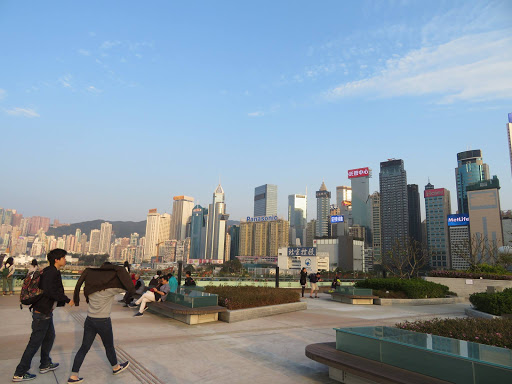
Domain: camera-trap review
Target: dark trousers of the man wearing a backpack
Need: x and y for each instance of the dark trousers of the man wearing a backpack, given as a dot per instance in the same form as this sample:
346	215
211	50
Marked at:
43	335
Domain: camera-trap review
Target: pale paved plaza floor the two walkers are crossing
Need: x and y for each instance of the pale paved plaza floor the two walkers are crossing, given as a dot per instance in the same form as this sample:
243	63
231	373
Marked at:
265	350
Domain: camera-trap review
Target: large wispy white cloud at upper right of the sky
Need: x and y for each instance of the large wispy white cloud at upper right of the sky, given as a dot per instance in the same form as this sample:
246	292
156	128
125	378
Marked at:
471	68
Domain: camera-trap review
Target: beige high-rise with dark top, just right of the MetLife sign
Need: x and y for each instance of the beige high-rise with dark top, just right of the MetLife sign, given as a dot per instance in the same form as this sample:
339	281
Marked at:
485	214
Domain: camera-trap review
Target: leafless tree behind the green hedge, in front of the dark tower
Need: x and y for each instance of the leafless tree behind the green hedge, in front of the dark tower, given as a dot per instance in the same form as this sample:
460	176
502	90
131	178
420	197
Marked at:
406	258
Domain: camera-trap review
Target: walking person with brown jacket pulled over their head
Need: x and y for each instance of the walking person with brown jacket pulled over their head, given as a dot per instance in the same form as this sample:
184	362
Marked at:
101	286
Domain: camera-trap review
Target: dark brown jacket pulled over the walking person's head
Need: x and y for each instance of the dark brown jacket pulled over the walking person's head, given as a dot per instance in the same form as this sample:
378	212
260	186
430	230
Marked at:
98	279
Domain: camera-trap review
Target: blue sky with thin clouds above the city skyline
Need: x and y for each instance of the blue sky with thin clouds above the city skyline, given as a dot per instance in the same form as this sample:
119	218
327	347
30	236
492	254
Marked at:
108	109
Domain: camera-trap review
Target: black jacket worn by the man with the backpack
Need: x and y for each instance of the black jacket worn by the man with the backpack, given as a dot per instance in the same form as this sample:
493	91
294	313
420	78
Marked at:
53	291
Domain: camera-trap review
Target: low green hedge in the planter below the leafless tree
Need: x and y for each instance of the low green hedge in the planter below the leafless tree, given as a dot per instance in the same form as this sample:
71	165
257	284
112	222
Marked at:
413	288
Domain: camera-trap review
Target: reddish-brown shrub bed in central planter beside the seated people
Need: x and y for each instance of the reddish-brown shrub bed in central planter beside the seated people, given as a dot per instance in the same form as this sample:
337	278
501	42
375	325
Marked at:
240	297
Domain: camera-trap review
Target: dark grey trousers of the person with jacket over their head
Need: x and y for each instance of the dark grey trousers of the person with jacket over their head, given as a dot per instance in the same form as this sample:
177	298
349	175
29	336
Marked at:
92	327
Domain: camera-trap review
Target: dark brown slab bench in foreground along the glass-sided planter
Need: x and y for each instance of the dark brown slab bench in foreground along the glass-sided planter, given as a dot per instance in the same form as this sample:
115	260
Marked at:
348	368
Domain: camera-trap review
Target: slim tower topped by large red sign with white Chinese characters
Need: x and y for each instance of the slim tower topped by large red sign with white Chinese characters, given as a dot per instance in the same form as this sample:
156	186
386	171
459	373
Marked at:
361	205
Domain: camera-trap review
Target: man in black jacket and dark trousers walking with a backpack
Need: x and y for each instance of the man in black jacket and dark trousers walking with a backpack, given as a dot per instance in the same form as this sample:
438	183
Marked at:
43	331
